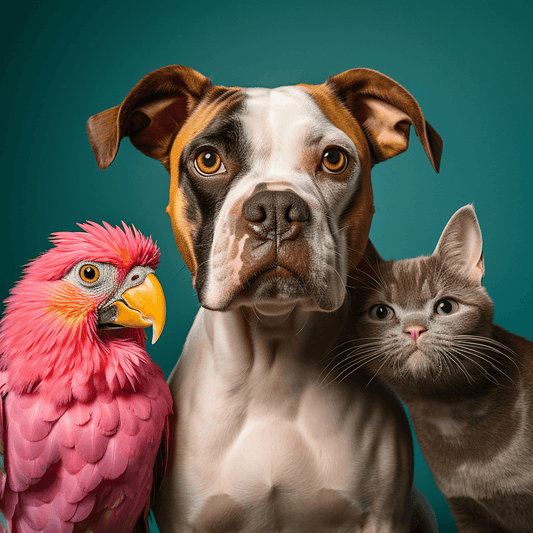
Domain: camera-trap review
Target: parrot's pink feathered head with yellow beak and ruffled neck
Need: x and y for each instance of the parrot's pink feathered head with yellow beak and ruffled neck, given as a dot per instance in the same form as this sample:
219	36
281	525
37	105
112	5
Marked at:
80	307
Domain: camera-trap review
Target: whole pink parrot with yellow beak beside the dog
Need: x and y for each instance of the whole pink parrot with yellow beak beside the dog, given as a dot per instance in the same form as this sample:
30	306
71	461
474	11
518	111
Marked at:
85	410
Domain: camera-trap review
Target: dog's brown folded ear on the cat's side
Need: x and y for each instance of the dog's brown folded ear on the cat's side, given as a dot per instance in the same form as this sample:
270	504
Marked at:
386	111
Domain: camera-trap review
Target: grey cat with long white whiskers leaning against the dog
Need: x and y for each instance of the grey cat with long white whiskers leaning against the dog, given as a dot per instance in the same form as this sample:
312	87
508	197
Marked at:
425	328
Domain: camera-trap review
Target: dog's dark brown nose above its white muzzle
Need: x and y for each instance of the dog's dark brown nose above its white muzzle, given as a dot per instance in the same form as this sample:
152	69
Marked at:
276	213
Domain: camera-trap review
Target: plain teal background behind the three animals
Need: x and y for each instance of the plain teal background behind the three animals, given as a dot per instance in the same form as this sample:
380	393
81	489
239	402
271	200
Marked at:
468	65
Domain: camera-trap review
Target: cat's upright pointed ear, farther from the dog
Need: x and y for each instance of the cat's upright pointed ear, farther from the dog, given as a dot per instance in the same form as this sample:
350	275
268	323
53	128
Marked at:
461	244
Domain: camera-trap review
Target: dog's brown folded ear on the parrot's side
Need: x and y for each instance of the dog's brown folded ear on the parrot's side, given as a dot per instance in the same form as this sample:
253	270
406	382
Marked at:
150	115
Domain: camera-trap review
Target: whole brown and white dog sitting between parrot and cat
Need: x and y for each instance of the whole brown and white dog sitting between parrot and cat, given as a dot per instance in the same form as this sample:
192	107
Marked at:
271	204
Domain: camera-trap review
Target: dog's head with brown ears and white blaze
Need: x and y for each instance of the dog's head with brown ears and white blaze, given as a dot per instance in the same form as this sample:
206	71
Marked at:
270	195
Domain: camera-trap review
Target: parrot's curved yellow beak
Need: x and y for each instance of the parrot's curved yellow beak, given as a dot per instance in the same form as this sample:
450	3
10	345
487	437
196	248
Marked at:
145	307
